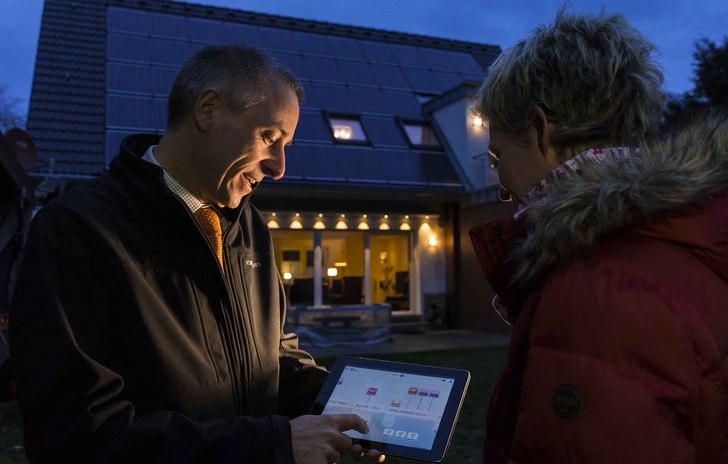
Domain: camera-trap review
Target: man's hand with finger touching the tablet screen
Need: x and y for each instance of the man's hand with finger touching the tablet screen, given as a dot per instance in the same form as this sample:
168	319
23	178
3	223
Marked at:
319	439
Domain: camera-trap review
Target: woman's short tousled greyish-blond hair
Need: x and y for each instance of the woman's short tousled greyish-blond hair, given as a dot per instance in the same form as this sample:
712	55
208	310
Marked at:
593	76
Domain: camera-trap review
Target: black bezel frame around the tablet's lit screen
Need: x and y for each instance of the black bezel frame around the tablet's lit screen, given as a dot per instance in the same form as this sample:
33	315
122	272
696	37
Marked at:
441	443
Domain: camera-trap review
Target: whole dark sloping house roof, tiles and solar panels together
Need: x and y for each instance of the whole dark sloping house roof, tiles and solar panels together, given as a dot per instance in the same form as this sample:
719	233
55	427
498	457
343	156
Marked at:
104	69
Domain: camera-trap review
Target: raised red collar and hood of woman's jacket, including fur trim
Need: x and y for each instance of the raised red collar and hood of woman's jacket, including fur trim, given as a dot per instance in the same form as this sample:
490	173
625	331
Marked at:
669	192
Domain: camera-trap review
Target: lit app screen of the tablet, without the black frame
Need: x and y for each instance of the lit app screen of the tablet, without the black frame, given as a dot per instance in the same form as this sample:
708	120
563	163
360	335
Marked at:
401	409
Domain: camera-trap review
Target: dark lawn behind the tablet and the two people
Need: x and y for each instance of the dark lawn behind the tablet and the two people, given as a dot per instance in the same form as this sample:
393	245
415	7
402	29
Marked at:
484	365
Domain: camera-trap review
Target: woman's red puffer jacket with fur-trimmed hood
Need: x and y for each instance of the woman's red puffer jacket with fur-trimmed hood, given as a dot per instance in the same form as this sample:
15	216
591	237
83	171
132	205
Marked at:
618	286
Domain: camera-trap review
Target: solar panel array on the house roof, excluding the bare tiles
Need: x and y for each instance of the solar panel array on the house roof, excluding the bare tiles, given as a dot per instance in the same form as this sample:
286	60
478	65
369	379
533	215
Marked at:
377	81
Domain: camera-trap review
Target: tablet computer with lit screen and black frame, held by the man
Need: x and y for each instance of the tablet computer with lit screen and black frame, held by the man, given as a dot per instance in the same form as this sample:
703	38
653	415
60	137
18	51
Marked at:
411	409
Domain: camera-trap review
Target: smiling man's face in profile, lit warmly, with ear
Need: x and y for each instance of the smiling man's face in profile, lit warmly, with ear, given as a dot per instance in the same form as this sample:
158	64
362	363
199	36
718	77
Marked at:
246	147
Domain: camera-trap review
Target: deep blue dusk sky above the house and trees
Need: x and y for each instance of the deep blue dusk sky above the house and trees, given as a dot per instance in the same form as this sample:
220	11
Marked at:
673	26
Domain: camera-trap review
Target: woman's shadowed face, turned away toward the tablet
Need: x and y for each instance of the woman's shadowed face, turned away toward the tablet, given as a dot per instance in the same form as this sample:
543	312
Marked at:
521	162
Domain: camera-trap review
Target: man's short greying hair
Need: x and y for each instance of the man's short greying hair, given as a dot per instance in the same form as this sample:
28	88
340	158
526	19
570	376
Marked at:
240	74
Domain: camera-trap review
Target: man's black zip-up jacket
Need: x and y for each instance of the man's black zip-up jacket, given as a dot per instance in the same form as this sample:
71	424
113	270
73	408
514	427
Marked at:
129	343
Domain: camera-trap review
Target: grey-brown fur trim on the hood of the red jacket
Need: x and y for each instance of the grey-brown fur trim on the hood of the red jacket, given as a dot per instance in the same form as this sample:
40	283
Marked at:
681	177
